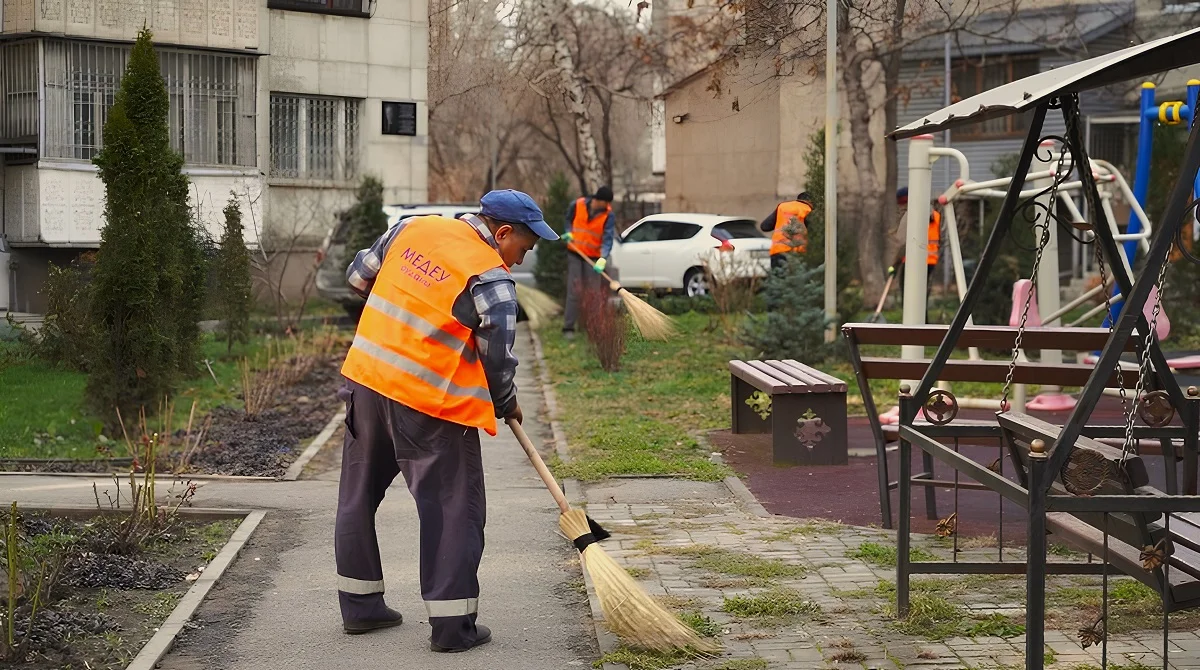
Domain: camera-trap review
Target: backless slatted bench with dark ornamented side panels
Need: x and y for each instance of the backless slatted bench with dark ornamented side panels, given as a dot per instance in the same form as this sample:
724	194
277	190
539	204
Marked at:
808	410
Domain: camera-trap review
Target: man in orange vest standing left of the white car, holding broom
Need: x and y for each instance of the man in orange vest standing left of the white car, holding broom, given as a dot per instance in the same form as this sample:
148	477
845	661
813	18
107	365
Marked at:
591	229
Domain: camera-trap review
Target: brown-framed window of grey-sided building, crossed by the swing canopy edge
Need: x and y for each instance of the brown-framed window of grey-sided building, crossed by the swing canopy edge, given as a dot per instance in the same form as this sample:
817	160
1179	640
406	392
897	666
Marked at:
971	77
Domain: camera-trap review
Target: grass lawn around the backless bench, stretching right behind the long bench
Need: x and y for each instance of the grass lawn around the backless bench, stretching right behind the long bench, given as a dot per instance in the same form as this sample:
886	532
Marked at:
643	420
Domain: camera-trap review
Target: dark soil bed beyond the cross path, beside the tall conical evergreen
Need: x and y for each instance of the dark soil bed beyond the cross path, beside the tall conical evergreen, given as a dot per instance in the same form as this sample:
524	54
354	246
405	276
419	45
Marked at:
236	445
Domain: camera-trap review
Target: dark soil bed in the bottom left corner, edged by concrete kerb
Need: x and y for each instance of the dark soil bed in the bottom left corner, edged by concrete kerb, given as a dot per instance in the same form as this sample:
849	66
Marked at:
105	607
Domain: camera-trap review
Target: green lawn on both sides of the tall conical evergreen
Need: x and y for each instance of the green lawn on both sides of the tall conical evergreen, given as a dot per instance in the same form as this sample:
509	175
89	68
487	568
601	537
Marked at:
43	412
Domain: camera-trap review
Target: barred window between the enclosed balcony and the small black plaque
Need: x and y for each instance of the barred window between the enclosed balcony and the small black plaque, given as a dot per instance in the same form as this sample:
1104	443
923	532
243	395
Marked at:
315	139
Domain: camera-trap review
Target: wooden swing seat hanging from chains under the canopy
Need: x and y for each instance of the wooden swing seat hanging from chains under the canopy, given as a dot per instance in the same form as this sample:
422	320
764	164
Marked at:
1097	470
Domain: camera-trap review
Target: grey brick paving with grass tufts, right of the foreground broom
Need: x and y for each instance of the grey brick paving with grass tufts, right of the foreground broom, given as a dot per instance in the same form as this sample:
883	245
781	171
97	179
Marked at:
699	549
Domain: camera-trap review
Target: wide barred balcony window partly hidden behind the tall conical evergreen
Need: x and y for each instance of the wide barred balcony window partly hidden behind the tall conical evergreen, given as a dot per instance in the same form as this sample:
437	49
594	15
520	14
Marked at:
212	115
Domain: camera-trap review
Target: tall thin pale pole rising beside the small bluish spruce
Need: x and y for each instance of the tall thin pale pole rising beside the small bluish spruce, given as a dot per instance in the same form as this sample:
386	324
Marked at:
831	276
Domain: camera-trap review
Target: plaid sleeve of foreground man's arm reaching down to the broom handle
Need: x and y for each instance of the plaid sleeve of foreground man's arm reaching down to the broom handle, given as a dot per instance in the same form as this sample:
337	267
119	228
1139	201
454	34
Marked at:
496	303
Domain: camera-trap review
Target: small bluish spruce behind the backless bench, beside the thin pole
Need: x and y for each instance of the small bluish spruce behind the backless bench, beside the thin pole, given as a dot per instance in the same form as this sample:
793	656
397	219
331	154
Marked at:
794	327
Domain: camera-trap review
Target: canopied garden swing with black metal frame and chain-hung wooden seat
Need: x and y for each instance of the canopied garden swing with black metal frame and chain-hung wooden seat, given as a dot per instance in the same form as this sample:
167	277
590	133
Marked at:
1095	496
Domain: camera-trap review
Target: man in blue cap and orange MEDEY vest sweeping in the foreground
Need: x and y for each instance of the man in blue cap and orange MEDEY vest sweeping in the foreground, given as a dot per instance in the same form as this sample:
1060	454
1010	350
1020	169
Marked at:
431	366
